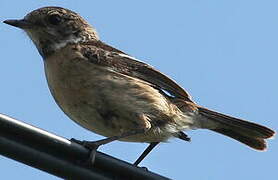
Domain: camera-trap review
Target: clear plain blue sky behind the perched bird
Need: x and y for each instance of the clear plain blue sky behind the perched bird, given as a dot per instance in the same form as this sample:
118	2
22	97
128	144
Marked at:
223	52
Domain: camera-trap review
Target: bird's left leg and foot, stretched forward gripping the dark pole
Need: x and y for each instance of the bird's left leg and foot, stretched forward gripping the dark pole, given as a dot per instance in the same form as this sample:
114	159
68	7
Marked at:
93	145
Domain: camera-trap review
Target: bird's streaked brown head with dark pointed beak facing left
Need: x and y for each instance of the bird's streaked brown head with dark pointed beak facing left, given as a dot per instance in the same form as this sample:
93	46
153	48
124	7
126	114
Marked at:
52	28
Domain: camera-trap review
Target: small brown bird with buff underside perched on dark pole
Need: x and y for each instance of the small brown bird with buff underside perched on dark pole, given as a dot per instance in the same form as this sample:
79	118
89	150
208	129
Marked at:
113	94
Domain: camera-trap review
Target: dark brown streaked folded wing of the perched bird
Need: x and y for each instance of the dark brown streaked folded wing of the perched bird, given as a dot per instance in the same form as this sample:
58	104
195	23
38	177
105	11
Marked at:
102	54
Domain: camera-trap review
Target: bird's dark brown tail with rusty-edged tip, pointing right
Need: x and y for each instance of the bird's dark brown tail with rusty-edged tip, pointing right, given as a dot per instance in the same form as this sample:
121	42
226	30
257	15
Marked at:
249	133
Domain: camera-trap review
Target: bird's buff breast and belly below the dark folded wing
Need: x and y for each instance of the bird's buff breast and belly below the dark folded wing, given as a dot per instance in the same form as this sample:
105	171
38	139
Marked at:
109	105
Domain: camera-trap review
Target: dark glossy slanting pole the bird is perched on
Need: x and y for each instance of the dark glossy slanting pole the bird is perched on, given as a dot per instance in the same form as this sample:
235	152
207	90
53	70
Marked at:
61	157
